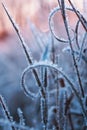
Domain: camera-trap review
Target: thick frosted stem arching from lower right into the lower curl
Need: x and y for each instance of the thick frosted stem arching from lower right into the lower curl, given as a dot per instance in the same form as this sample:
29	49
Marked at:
53	66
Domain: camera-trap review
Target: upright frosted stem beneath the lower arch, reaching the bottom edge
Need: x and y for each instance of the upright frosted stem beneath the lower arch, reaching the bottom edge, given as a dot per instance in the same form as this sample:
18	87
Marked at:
44	98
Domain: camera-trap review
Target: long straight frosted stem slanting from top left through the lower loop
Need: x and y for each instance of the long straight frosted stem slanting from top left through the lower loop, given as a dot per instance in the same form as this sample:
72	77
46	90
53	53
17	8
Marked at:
24	45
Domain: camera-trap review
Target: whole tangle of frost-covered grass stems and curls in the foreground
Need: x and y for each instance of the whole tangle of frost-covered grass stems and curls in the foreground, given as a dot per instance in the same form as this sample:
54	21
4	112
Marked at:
53	95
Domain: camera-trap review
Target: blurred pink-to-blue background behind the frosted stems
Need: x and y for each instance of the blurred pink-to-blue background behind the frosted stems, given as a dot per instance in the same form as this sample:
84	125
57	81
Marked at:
32	19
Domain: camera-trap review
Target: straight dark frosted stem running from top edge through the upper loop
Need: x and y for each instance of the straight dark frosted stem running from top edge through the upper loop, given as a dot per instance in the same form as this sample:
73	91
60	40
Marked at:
70	42
